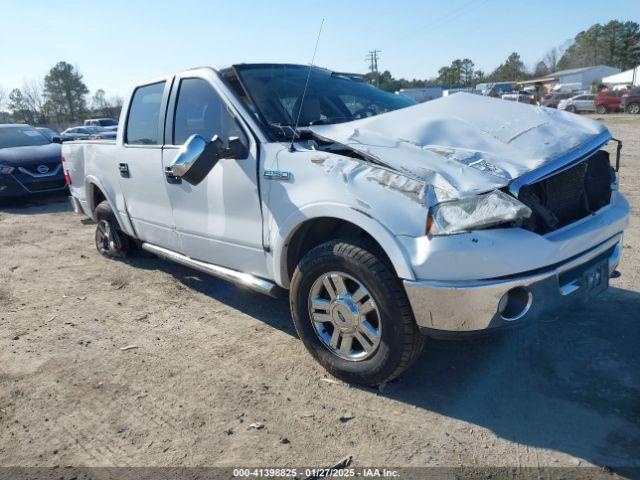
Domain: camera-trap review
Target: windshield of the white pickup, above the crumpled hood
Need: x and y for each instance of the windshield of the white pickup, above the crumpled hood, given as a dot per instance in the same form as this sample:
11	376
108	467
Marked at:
276	92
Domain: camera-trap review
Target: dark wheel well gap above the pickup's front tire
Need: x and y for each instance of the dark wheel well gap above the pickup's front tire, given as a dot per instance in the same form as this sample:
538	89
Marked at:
319	230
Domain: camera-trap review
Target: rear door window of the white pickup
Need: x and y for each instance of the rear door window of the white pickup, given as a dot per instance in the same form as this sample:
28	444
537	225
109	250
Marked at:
144	115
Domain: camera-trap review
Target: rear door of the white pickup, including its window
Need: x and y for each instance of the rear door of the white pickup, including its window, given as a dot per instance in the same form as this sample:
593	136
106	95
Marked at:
142	177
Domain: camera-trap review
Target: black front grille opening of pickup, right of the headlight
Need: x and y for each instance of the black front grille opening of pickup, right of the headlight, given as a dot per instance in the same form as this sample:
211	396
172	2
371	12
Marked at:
568	196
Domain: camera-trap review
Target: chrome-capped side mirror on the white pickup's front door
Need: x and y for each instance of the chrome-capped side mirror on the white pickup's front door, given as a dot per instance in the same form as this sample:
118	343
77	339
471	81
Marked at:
196	158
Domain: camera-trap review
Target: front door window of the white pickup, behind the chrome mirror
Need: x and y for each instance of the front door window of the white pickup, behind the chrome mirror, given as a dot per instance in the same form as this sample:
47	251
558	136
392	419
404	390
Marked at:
200	110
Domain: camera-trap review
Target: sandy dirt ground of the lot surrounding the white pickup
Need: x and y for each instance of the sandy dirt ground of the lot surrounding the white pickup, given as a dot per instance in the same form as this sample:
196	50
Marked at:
212	359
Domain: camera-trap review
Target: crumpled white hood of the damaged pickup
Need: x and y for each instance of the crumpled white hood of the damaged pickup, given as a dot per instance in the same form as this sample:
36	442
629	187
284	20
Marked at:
465	144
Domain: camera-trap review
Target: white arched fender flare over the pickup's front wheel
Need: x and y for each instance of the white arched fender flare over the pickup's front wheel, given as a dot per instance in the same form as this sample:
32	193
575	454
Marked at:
284	233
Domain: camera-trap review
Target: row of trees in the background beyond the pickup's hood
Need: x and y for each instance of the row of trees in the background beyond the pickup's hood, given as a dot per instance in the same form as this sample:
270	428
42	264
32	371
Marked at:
616	44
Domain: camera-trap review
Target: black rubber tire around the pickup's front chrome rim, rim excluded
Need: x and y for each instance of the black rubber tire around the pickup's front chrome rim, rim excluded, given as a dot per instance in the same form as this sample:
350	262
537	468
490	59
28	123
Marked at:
400	341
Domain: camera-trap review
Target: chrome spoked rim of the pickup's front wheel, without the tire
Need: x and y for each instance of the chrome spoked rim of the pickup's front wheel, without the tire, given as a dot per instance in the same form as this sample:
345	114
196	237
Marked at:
345	316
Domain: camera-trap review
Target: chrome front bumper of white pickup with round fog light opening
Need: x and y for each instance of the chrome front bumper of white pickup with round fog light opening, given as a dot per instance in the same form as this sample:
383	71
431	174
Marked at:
471	305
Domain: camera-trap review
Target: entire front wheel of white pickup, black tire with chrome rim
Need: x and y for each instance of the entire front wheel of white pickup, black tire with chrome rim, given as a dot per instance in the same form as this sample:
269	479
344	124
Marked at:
393	342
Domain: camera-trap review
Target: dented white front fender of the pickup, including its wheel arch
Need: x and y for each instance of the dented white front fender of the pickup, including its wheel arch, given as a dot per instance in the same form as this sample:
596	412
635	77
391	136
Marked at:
380	201
